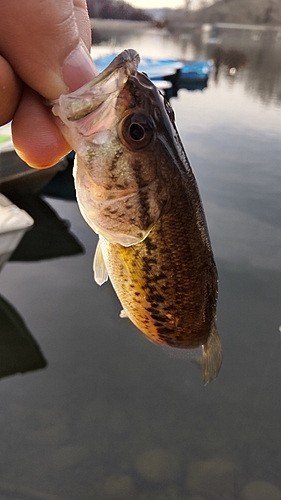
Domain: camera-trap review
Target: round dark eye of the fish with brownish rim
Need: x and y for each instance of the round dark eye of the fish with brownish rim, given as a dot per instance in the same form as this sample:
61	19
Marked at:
136	130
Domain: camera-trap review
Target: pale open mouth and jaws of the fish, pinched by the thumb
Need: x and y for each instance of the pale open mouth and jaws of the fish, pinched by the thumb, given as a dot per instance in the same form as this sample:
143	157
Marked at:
90	111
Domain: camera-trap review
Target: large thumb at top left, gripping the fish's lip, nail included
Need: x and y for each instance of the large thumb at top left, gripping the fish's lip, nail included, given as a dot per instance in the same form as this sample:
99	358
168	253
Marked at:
45	47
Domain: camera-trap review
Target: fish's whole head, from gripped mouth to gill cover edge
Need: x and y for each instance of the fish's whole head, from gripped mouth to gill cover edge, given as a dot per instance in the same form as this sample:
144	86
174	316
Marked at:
122	130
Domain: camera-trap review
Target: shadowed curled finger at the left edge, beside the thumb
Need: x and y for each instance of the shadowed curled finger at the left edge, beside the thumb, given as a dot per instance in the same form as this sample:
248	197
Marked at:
10	91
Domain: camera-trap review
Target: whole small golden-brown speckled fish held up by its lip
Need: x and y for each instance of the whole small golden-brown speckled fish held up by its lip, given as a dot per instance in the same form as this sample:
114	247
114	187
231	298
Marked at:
135	188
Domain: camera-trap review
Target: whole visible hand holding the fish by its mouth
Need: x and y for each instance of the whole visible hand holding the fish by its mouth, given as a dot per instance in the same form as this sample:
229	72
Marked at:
43	53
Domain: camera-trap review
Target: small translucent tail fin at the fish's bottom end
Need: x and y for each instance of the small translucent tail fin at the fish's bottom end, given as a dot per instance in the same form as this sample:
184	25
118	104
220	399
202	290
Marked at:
211	356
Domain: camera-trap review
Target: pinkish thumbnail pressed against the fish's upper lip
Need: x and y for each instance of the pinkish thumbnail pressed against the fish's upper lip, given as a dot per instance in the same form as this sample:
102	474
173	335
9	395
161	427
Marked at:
78	68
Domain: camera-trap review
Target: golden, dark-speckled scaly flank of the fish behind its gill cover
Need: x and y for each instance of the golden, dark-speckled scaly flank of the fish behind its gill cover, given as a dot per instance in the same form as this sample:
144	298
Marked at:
179	290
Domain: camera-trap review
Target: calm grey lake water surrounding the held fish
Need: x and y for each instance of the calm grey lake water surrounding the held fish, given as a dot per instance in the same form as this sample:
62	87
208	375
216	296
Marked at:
113	416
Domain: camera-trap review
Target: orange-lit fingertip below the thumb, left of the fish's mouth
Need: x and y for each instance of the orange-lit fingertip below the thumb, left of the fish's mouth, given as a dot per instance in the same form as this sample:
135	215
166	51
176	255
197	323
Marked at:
36	137
